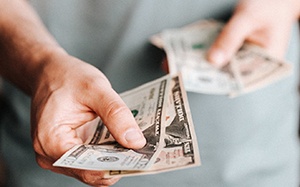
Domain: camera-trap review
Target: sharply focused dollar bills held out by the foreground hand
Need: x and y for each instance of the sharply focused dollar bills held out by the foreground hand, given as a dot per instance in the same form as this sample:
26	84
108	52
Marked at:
161	110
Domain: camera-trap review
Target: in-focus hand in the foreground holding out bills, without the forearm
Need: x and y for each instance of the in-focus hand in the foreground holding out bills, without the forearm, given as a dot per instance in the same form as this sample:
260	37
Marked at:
71	93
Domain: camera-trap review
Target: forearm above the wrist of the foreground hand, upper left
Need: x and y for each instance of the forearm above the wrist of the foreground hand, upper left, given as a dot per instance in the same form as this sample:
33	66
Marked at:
25	44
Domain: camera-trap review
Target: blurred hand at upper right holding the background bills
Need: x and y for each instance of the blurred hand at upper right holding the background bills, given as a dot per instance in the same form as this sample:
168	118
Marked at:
266	23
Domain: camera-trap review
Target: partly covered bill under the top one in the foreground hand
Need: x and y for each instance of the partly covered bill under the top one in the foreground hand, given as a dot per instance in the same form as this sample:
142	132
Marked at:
179	148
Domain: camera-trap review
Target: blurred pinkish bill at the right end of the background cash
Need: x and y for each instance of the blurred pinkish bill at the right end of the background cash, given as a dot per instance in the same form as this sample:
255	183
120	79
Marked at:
254	69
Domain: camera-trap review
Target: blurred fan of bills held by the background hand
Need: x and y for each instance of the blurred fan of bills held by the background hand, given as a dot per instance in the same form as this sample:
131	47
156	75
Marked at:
250	69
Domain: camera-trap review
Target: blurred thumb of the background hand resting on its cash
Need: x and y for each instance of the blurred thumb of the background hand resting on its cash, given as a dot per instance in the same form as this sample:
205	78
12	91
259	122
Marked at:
230	39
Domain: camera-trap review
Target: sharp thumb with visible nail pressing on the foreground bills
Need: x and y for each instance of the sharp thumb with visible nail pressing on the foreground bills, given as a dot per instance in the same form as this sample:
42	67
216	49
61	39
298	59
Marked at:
117	117
